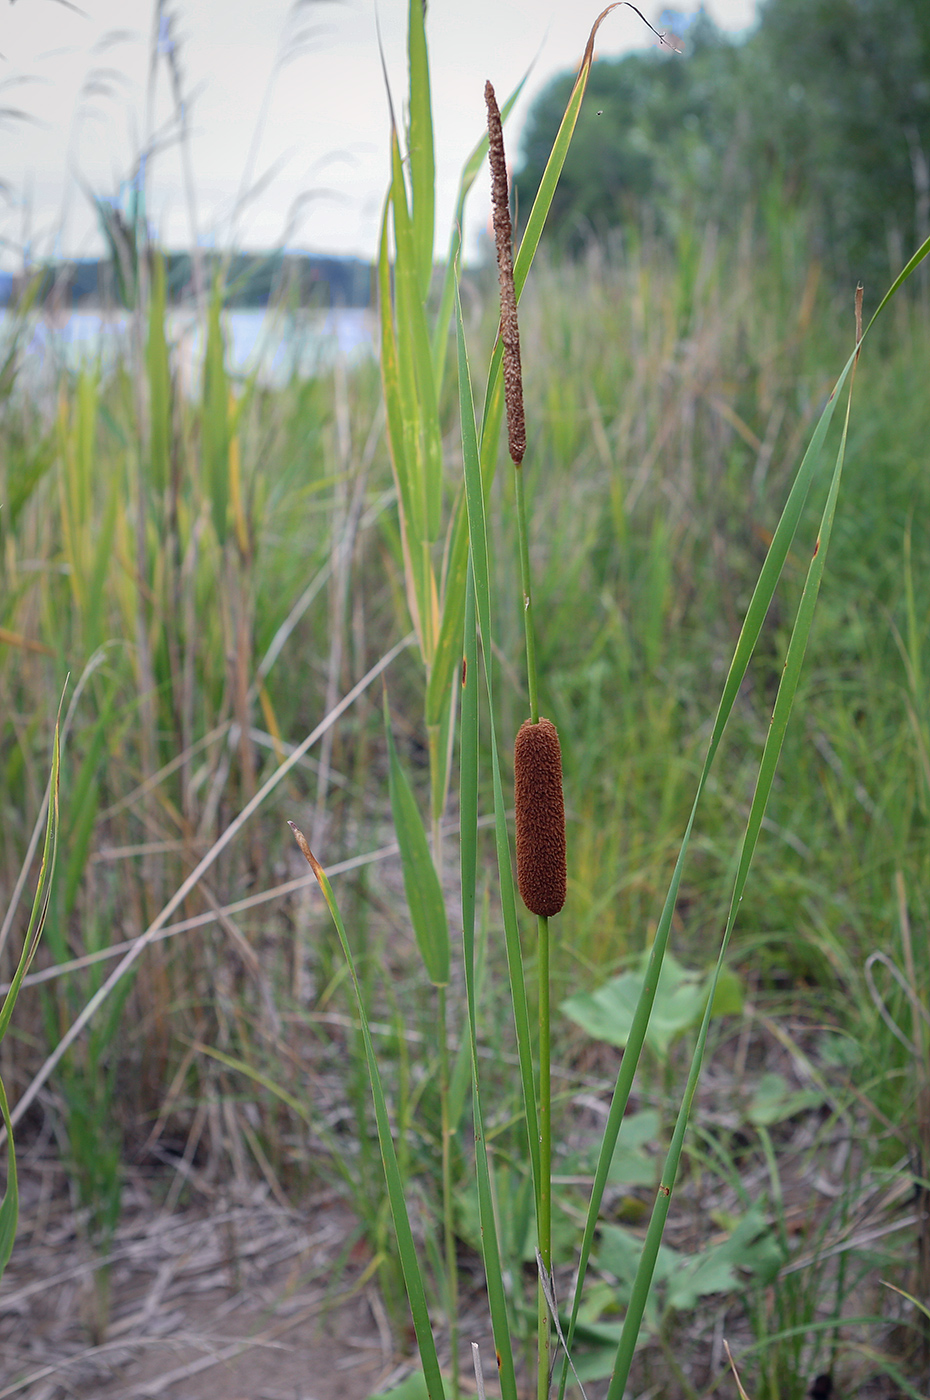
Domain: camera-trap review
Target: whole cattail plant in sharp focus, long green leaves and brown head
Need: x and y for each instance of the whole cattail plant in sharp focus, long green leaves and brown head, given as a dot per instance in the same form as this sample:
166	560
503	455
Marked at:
541	842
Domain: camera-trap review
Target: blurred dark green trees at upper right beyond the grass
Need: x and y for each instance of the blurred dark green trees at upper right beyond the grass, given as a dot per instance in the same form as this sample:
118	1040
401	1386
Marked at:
827	103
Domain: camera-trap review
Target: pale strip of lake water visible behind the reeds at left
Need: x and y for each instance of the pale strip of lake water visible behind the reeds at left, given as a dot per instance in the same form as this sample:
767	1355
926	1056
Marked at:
271	344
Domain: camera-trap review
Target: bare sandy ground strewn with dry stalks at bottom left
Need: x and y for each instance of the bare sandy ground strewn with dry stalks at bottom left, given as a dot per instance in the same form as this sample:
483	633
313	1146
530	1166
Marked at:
244	1303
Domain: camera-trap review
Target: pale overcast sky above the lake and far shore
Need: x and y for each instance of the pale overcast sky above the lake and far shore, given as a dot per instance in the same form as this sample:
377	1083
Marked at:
291	94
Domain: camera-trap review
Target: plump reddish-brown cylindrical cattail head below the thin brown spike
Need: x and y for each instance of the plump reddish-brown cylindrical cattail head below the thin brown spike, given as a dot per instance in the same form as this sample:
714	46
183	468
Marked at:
541	866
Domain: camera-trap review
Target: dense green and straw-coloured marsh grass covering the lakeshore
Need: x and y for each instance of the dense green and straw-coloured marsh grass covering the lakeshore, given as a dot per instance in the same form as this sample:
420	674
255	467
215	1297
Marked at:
230	573
